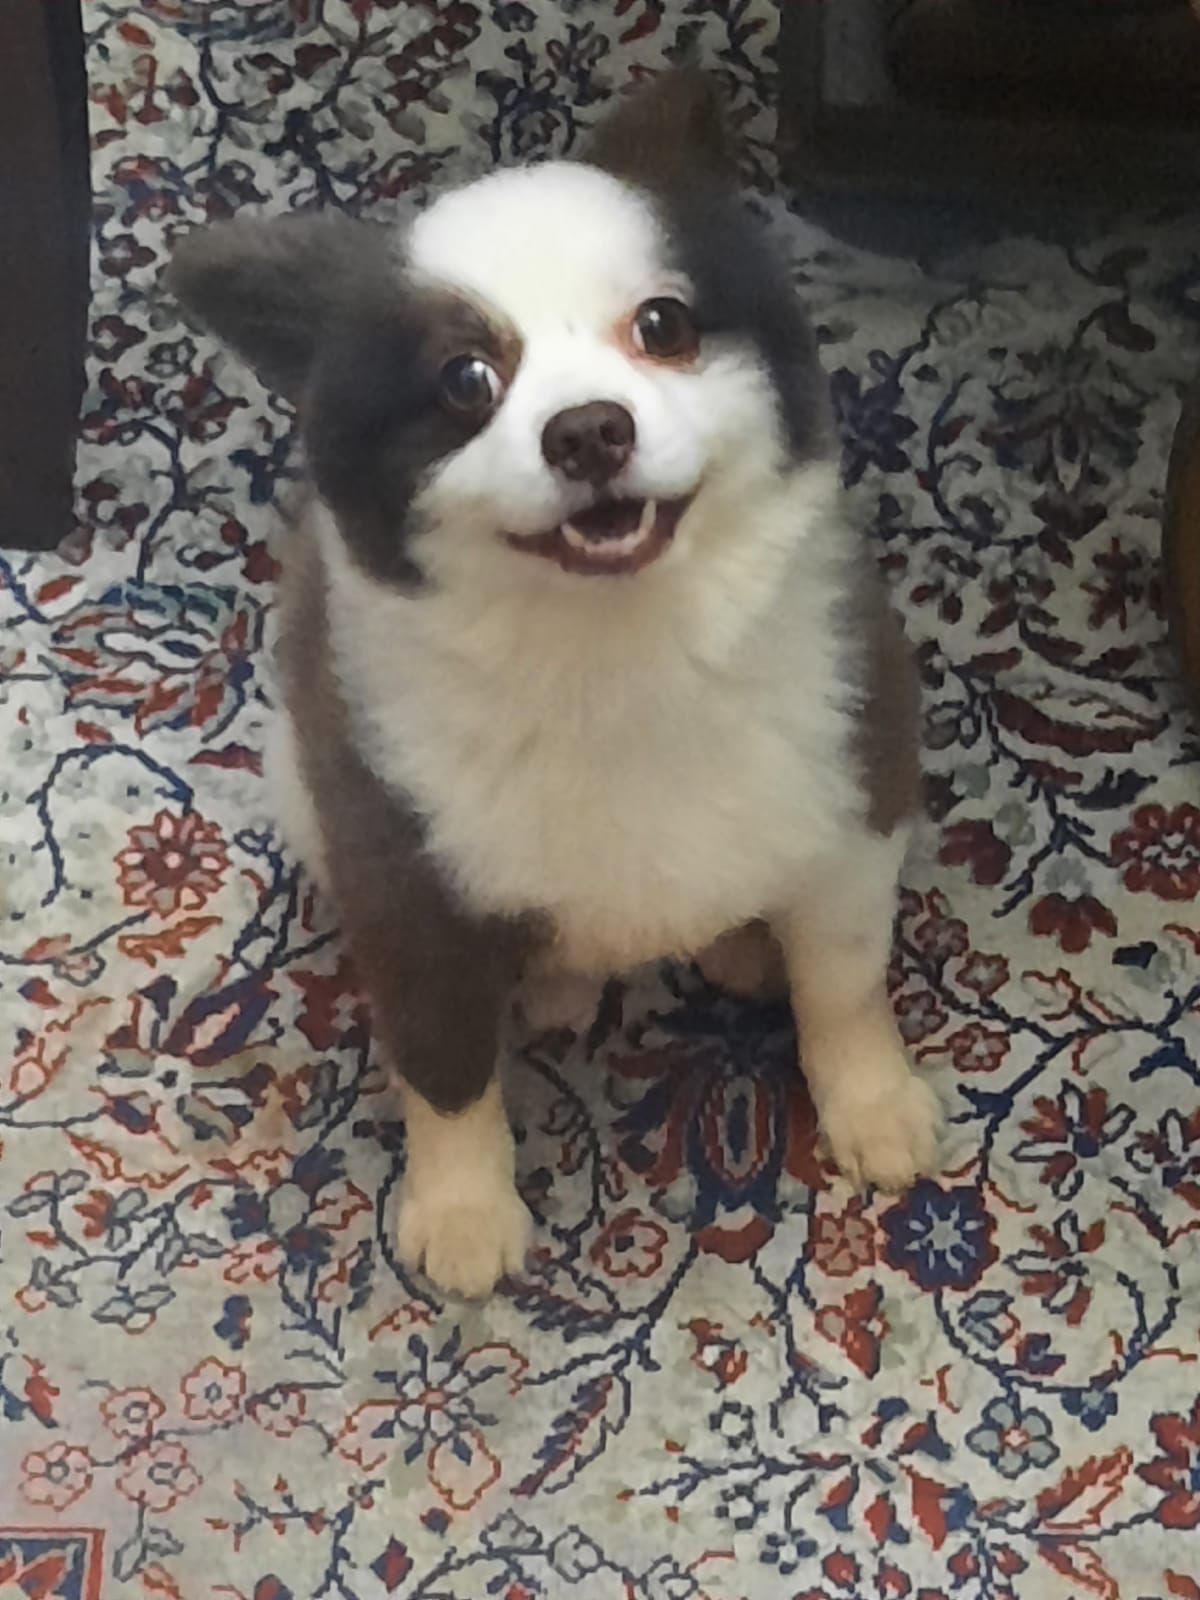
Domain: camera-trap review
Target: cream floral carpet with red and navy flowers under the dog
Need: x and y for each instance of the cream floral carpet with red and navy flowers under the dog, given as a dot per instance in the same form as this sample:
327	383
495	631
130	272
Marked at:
722	1375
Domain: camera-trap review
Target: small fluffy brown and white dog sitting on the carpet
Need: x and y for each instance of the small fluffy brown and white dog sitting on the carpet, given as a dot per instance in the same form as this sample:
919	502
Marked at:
582	662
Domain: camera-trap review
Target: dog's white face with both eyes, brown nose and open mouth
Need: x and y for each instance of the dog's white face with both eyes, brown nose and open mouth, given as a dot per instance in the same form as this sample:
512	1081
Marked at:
596	404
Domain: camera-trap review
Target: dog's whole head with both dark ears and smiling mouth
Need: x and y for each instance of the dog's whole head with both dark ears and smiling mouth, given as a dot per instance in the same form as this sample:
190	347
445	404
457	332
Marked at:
583	369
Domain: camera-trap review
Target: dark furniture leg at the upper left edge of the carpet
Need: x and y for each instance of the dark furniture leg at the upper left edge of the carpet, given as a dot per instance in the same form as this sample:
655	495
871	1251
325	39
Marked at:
44	266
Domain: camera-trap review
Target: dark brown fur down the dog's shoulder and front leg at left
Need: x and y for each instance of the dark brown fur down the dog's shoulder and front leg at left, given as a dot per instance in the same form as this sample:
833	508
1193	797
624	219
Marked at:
439	978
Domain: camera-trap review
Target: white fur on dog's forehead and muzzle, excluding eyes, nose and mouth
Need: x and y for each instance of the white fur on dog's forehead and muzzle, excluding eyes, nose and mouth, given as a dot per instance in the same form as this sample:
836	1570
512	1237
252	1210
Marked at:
566	255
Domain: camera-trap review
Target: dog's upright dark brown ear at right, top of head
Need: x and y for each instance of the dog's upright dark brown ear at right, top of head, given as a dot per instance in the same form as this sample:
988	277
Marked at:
666	132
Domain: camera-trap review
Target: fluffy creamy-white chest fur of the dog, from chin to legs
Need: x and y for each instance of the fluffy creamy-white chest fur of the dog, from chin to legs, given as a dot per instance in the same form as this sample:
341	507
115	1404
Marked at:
649	764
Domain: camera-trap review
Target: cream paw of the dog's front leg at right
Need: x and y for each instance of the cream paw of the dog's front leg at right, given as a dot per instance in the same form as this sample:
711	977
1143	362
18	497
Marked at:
884	1140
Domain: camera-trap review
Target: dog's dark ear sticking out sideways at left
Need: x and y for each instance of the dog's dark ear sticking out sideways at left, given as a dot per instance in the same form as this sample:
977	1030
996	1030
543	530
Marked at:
271	287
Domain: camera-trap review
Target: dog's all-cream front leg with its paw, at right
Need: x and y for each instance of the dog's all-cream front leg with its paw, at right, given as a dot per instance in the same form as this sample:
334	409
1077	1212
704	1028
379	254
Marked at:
879	1121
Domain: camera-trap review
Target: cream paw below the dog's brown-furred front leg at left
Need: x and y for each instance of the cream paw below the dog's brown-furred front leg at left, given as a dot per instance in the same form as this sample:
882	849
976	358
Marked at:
465	1241
